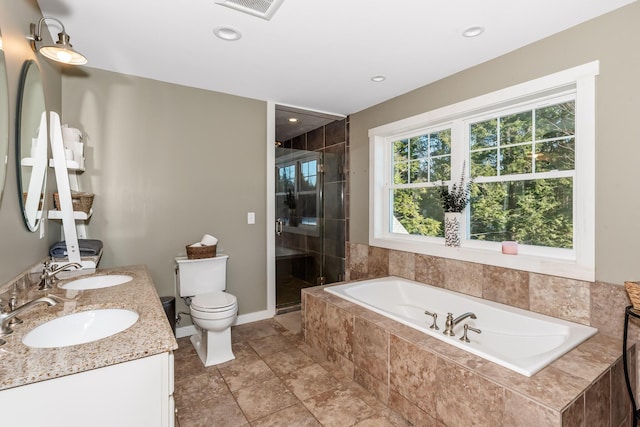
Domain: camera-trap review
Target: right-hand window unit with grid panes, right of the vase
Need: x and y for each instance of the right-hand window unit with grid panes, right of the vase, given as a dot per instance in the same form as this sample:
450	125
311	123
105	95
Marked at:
523	163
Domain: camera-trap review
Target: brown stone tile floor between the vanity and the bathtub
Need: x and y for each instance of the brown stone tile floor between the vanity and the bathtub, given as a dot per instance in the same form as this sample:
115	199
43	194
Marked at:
272	382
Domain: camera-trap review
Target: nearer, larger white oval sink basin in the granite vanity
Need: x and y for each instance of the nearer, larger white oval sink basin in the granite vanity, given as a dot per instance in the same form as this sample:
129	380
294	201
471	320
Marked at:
80	328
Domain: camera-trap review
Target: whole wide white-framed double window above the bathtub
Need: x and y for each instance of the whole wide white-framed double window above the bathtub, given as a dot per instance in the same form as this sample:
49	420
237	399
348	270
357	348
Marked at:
530	151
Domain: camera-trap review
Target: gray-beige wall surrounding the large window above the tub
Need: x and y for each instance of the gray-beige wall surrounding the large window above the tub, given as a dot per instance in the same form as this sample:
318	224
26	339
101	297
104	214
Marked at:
612	39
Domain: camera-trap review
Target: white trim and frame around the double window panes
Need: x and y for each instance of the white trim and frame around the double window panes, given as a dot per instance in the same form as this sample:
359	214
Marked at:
578	263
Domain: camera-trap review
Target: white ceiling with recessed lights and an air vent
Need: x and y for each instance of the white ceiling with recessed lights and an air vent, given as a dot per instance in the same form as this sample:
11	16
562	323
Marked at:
314	54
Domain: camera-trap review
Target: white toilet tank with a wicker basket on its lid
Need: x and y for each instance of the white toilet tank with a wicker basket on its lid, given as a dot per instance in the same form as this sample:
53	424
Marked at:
200	276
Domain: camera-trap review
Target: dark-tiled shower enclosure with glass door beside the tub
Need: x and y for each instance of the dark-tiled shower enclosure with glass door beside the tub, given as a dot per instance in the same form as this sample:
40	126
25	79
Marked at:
309	212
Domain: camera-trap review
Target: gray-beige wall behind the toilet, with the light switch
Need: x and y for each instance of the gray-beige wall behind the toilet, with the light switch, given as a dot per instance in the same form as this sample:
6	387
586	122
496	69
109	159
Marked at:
169	163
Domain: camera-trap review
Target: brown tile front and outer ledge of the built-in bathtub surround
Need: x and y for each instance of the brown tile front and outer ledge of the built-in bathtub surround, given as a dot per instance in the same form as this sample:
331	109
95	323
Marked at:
432	383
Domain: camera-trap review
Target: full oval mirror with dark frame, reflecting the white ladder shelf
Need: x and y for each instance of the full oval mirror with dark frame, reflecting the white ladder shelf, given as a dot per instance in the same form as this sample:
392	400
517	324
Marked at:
31	145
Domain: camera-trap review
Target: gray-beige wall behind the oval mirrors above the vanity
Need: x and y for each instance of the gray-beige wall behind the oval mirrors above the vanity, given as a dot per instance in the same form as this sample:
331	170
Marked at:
20	248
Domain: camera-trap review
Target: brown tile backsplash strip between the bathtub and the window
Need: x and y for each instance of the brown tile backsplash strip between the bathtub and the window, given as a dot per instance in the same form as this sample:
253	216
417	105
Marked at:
598	304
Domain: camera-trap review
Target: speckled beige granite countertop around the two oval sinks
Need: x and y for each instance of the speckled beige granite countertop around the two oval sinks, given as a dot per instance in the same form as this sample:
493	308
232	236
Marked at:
150	335
